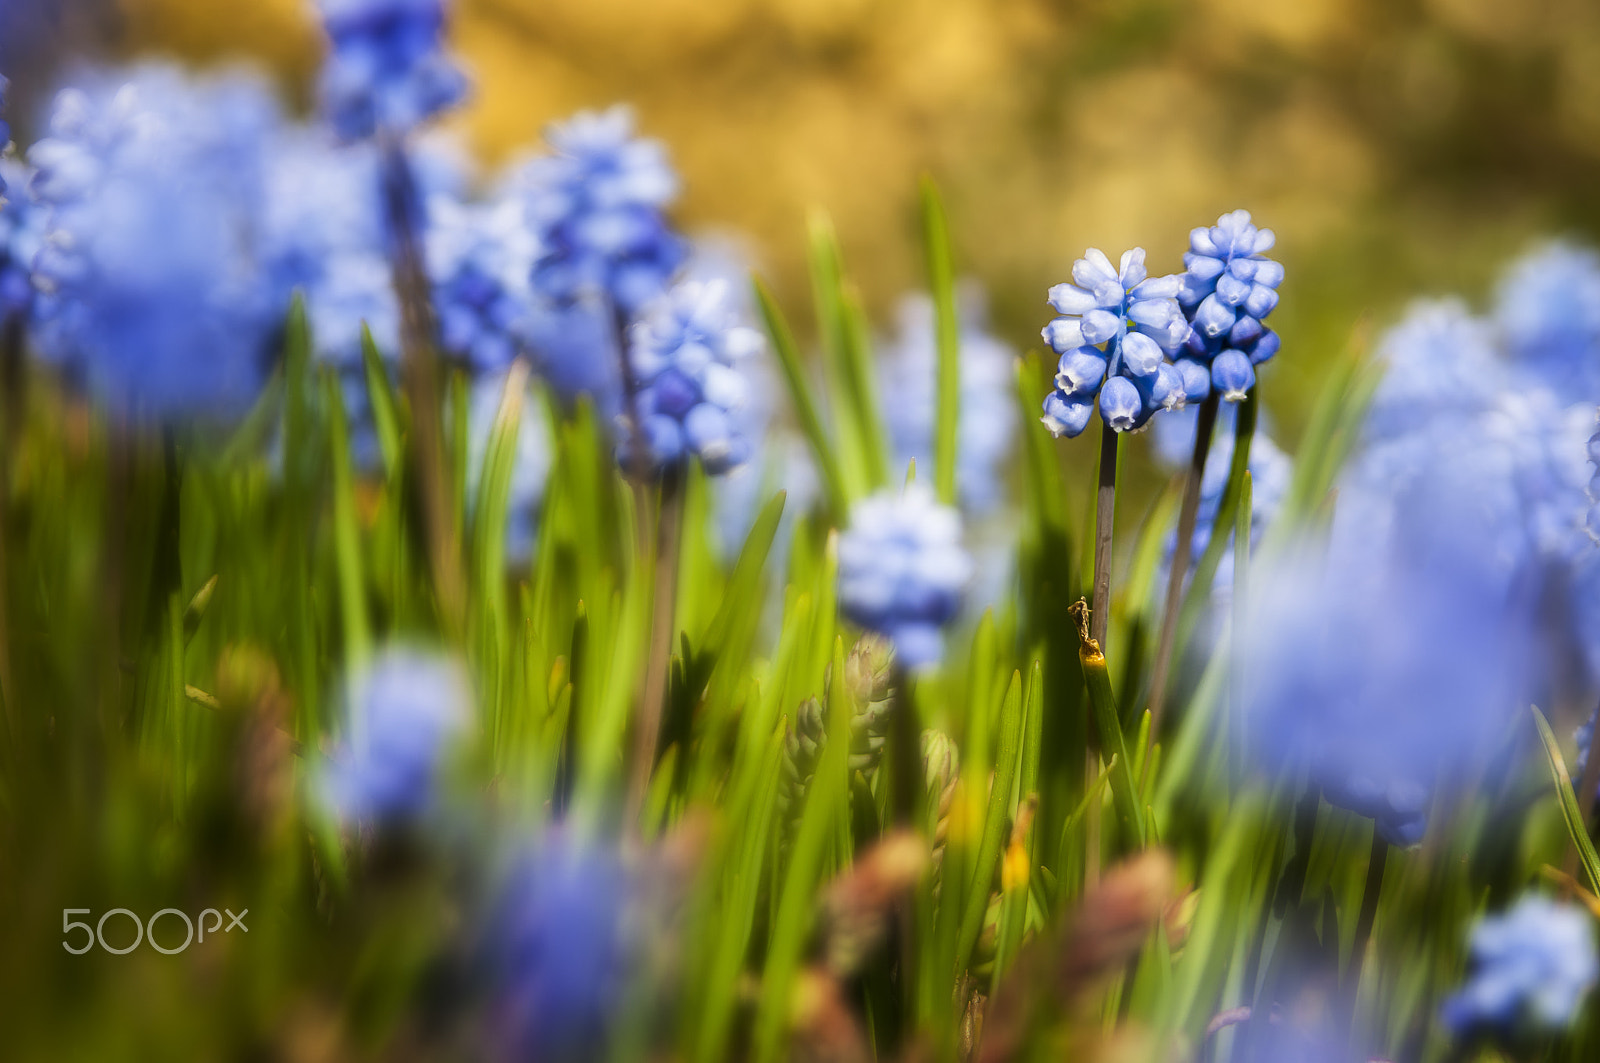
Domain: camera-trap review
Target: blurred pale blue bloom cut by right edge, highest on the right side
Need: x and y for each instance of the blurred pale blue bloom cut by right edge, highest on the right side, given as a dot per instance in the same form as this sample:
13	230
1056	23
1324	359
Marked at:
1548	315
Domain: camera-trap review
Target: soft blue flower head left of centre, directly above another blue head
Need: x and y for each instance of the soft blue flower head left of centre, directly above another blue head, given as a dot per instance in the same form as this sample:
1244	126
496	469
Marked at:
596	206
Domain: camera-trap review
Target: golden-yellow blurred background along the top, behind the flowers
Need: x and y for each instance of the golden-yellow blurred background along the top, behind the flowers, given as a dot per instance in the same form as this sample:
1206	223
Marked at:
1398	146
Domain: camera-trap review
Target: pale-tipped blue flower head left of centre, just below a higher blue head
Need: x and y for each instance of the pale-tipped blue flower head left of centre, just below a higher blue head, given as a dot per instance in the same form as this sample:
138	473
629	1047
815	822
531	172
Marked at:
686	358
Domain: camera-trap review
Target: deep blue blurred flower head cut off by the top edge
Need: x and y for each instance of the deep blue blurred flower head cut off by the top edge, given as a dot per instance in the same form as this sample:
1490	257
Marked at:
386	68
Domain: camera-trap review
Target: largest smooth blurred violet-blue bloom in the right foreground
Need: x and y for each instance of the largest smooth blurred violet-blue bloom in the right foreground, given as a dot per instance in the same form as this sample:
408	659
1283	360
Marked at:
1388	660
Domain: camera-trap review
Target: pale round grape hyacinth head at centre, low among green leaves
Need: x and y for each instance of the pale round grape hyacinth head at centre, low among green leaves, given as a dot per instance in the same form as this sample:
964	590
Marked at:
903	569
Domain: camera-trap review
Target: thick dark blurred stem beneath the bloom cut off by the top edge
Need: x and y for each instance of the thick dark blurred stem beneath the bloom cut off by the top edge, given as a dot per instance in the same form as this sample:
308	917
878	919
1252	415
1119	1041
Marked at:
423	387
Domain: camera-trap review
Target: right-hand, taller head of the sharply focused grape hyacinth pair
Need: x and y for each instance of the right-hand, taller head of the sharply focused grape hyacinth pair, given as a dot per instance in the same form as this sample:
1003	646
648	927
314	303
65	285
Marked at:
1230	286
